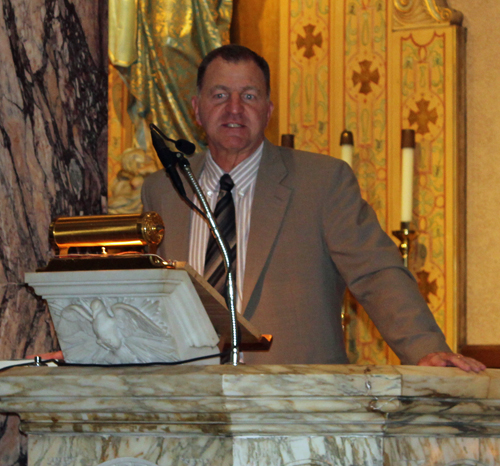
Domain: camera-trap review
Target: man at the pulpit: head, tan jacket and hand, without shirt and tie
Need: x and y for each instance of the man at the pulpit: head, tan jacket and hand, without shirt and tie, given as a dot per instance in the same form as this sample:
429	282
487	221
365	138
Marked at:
311	233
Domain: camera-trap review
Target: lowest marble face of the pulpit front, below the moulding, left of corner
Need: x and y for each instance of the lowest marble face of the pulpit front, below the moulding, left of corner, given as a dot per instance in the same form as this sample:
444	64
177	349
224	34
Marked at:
208	451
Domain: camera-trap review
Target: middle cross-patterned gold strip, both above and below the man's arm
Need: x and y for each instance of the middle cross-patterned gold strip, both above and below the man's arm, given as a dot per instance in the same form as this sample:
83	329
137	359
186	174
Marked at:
365	114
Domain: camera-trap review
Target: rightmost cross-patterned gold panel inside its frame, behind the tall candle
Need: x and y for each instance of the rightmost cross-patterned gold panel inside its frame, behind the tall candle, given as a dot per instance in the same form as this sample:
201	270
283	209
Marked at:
424	71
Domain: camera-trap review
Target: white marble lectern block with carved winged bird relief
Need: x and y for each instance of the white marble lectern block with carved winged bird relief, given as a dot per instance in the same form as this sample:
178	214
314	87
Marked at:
127	316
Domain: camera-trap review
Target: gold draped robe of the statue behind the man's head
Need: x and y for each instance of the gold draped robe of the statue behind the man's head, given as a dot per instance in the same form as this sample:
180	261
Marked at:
172	38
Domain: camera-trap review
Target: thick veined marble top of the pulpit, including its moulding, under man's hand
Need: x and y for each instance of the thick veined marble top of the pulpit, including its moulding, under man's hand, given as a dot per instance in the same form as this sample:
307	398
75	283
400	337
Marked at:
250	400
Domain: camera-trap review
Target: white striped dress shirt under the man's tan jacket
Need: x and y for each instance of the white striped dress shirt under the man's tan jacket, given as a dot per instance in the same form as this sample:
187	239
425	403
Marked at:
244	176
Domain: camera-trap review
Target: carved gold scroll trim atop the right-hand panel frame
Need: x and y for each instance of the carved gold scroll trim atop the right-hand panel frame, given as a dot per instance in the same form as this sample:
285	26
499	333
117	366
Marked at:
422	13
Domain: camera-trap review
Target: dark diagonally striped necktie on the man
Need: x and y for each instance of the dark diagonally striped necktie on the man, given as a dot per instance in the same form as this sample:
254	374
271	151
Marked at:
226	219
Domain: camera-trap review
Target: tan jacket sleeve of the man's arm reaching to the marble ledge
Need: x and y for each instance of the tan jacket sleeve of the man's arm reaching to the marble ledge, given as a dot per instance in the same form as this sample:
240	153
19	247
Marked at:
372	268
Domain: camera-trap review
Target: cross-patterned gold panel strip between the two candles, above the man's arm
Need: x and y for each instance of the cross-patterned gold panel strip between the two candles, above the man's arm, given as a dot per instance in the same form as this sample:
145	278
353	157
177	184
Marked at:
365	97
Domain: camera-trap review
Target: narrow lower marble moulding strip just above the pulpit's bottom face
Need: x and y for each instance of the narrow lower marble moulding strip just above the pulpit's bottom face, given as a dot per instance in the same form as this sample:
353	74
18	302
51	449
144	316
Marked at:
263	424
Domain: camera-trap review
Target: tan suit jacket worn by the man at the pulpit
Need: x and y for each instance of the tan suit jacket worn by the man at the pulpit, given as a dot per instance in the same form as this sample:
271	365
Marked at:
311	234
